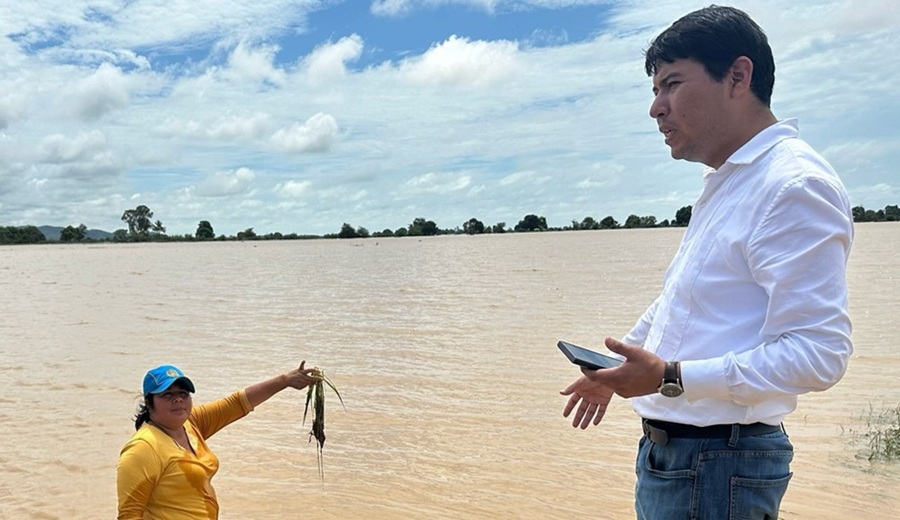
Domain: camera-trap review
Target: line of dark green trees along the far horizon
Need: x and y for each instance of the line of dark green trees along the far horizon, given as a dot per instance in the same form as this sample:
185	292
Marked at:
142	228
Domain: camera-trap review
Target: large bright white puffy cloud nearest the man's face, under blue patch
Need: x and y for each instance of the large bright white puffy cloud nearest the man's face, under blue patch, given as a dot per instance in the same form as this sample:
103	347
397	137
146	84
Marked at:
460	62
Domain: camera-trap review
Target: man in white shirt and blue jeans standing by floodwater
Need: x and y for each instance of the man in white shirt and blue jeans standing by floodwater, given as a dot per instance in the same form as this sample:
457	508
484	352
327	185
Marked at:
753	310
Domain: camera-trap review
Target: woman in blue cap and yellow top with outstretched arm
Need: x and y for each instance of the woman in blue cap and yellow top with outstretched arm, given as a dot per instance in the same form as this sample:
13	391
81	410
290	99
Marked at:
165	470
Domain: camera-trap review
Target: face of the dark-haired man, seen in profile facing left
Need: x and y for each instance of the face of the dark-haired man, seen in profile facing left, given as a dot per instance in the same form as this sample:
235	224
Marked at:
690	109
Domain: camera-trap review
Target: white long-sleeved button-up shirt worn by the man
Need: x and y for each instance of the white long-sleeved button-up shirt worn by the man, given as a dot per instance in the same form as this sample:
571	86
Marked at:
754	304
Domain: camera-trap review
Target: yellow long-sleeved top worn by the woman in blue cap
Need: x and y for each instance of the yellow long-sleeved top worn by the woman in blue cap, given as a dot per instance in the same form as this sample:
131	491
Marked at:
158	479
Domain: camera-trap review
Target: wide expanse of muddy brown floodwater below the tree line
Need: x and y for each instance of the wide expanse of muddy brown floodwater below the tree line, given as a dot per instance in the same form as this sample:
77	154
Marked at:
444	351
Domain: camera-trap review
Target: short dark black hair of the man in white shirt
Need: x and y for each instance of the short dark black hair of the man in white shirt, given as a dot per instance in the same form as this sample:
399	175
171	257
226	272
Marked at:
716	36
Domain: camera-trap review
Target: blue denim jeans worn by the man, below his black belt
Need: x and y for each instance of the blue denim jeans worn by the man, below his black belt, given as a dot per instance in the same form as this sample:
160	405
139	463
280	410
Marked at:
737	478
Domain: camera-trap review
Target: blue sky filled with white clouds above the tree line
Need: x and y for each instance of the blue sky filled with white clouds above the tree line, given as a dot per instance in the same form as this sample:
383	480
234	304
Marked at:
300	115
